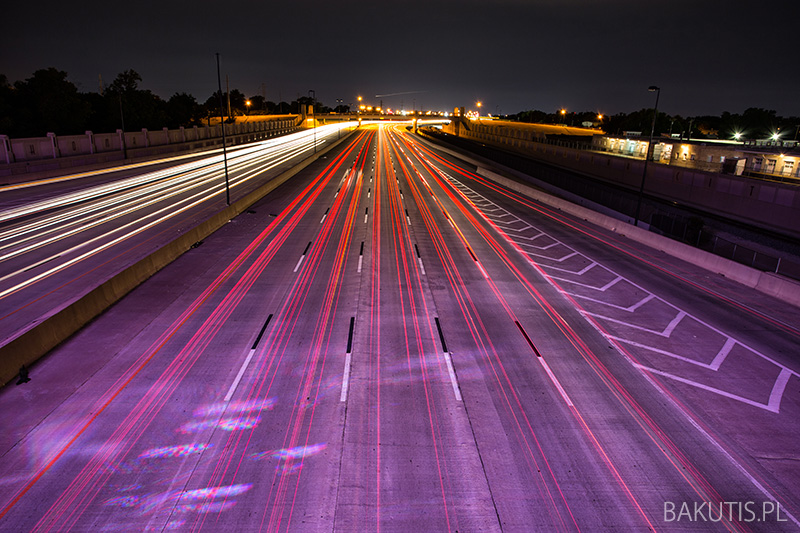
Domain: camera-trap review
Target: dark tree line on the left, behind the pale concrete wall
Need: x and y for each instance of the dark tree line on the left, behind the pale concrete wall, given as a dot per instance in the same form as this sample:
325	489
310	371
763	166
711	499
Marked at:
49	102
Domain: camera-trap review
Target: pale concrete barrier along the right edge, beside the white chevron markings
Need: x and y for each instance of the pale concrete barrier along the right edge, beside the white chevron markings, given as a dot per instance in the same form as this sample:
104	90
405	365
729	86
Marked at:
784	289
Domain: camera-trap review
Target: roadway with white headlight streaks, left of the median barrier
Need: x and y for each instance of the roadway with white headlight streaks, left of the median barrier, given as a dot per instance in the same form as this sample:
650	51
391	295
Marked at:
61	237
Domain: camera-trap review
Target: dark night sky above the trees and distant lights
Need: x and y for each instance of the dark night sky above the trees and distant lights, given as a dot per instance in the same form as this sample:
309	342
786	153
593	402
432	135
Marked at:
708	56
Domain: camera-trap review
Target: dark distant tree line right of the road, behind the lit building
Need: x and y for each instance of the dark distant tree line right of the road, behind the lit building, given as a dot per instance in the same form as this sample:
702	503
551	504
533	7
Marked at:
753	123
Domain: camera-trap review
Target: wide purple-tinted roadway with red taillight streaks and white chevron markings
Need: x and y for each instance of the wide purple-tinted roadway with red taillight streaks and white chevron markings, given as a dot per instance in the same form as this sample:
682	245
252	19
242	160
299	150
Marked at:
392	342
